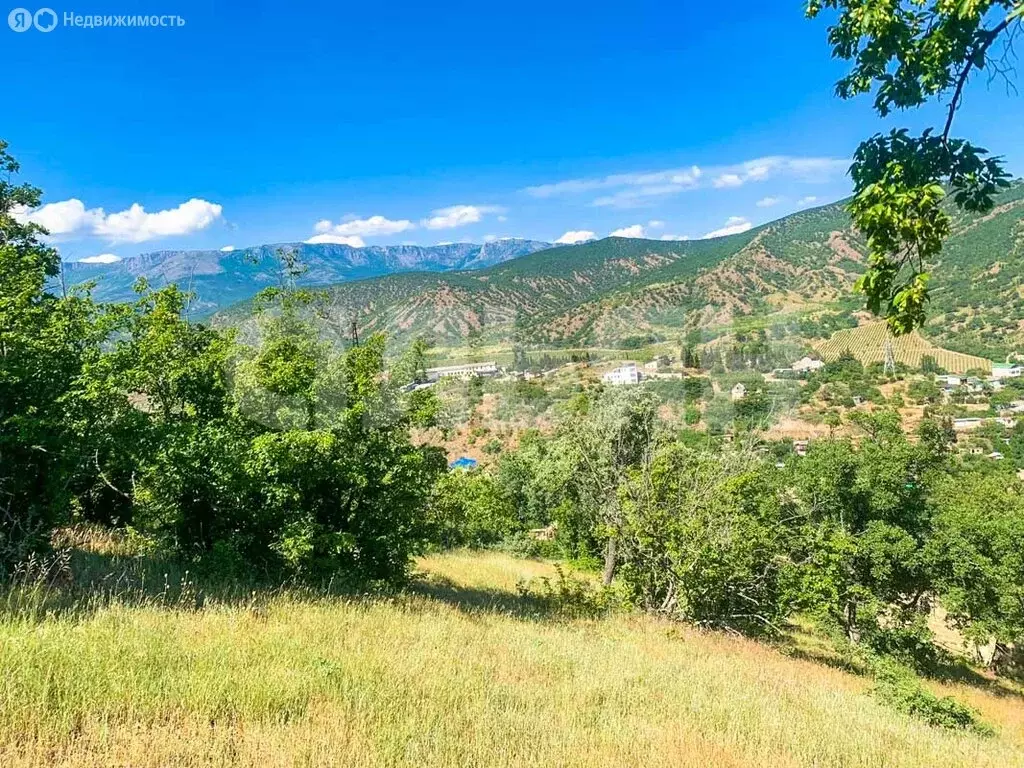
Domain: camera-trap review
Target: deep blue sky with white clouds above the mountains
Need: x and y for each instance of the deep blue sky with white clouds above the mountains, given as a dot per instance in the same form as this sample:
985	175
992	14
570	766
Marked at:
439	122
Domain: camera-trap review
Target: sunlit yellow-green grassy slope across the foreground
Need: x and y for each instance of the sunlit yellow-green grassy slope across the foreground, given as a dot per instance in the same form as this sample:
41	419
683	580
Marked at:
449	680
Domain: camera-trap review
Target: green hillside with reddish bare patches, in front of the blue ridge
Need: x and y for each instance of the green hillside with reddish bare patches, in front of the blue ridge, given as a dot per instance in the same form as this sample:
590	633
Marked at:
620	292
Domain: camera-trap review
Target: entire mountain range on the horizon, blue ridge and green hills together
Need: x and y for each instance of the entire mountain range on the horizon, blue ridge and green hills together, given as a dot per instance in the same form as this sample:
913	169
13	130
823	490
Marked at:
621	293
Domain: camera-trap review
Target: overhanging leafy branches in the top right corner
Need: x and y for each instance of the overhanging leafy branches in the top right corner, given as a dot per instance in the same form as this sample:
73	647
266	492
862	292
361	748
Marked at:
911	53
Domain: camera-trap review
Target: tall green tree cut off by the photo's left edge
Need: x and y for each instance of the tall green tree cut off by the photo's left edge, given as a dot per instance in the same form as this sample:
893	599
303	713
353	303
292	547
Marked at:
45	343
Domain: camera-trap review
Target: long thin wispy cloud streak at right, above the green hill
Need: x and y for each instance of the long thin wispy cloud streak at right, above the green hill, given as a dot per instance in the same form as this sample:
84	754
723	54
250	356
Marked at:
636	190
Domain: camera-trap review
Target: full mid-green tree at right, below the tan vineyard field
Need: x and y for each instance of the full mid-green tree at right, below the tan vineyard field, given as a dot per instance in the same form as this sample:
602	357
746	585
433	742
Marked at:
866	522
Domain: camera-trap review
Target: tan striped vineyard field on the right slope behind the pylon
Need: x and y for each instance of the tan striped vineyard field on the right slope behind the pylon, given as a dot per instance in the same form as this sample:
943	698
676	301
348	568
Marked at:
867	344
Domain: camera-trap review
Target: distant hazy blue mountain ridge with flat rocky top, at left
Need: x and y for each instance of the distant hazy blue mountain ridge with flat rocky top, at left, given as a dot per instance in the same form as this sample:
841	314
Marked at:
223	278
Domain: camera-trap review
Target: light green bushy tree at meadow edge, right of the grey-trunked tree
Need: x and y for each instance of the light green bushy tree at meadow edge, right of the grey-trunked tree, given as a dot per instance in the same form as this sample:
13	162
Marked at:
706	539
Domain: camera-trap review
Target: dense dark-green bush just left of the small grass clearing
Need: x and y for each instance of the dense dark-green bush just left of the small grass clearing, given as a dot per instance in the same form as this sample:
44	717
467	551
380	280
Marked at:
349	503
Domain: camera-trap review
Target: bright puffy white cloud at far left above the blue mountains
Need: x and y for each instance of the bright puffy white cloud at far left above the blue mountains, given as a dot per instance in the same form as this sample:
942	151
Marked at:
70	219
